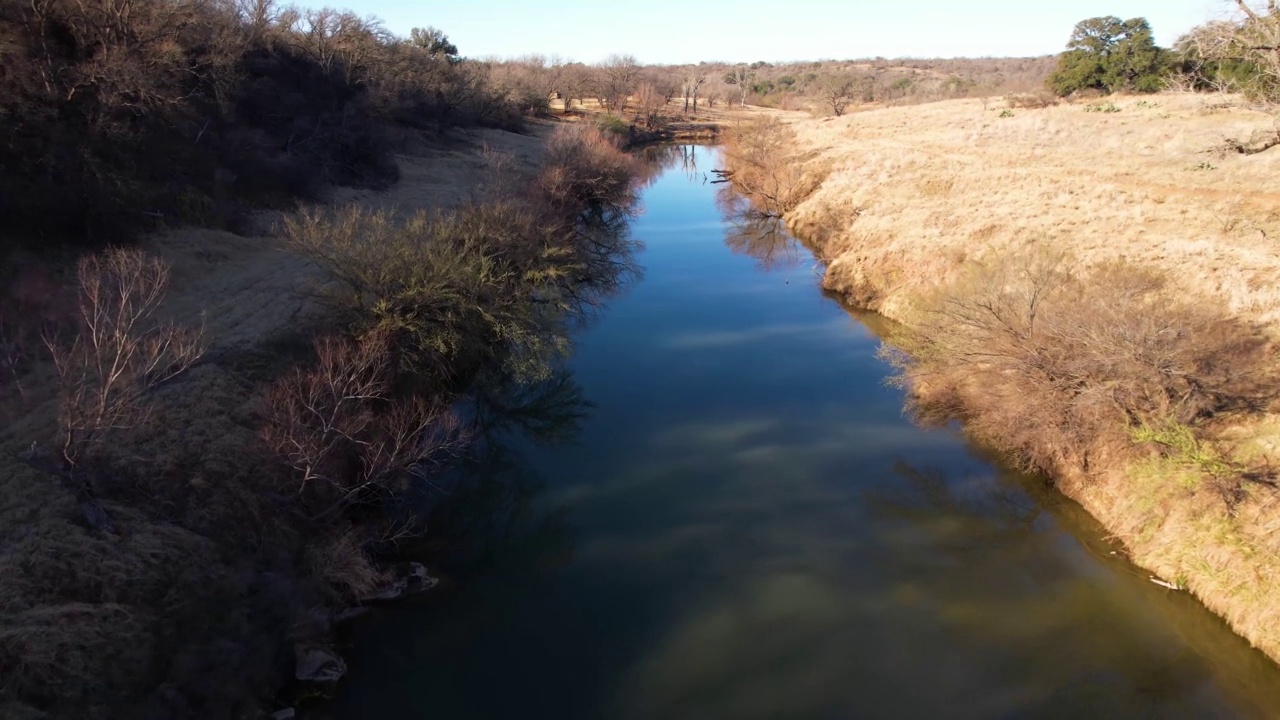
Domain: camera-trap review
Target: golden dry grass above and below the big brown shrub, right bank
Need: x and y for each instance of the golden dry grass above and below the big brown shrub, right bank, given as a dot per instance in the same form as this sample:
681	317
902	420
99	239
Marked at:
916	193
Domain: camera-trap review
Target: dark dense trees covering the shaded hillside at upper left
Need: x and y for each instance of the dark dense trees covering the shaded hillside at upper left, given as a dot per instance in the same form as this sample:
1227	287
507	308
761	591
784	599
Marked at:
120	113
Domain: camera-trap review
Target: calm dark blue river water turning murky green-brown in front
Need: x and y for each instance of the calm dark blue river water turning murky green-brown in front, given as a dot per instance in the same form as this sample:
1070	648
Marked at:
739	522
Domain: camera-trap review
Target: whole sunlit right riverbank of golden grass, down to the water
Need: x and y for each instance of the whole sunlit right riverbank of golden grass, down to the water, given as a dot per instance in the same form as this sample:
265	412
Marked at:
917	204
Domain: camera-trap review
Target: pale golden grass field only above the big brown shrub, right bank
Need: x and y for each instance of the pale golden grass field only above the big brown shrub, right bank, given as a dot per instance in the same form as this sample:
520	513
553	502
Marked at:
1139	185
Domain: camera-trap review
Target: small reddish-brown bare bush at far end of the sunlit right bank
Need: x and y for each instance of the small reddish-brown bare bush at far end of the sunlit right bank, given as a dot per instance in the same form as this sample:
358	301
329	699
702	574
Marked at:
765	166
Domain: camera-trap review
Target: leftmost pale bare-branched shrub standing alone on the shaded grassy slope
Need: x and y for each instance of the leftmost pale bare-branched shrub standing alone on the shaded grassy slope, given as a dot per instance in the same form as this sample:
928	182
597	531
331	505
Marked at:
121	350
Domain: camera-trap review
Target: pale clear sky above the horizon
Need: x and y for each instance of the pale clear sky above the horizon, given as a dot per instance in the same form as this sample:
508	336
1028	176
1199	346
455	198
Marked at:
683	31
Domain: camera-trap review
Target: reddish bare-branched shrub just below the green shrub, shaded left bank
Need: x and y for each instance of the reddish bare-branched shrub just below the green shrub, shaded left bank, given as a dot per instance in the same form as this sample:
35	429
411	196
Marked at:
344	436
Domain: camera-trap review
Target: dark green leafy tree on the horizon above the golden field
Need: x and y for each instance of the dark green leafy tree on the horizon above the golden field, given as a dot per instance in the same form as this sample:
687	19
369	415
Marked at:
1110	54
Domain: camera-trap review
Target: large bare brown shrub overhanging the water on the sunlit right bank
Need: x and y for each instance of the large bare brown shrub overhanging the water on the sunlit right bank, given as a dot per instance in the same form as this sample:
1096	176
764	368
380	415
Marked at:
1060	366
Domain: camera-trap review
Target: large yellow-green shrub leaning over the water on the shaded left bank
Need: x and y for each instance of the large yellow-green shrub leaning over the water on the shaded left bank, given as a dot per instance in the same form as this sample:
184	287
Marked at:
452	289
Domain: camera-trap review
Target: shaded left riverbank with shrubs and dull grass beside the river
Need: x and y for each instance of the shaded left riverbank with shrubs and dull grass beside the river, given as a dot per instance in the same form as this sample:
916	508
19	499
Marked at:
189	560
